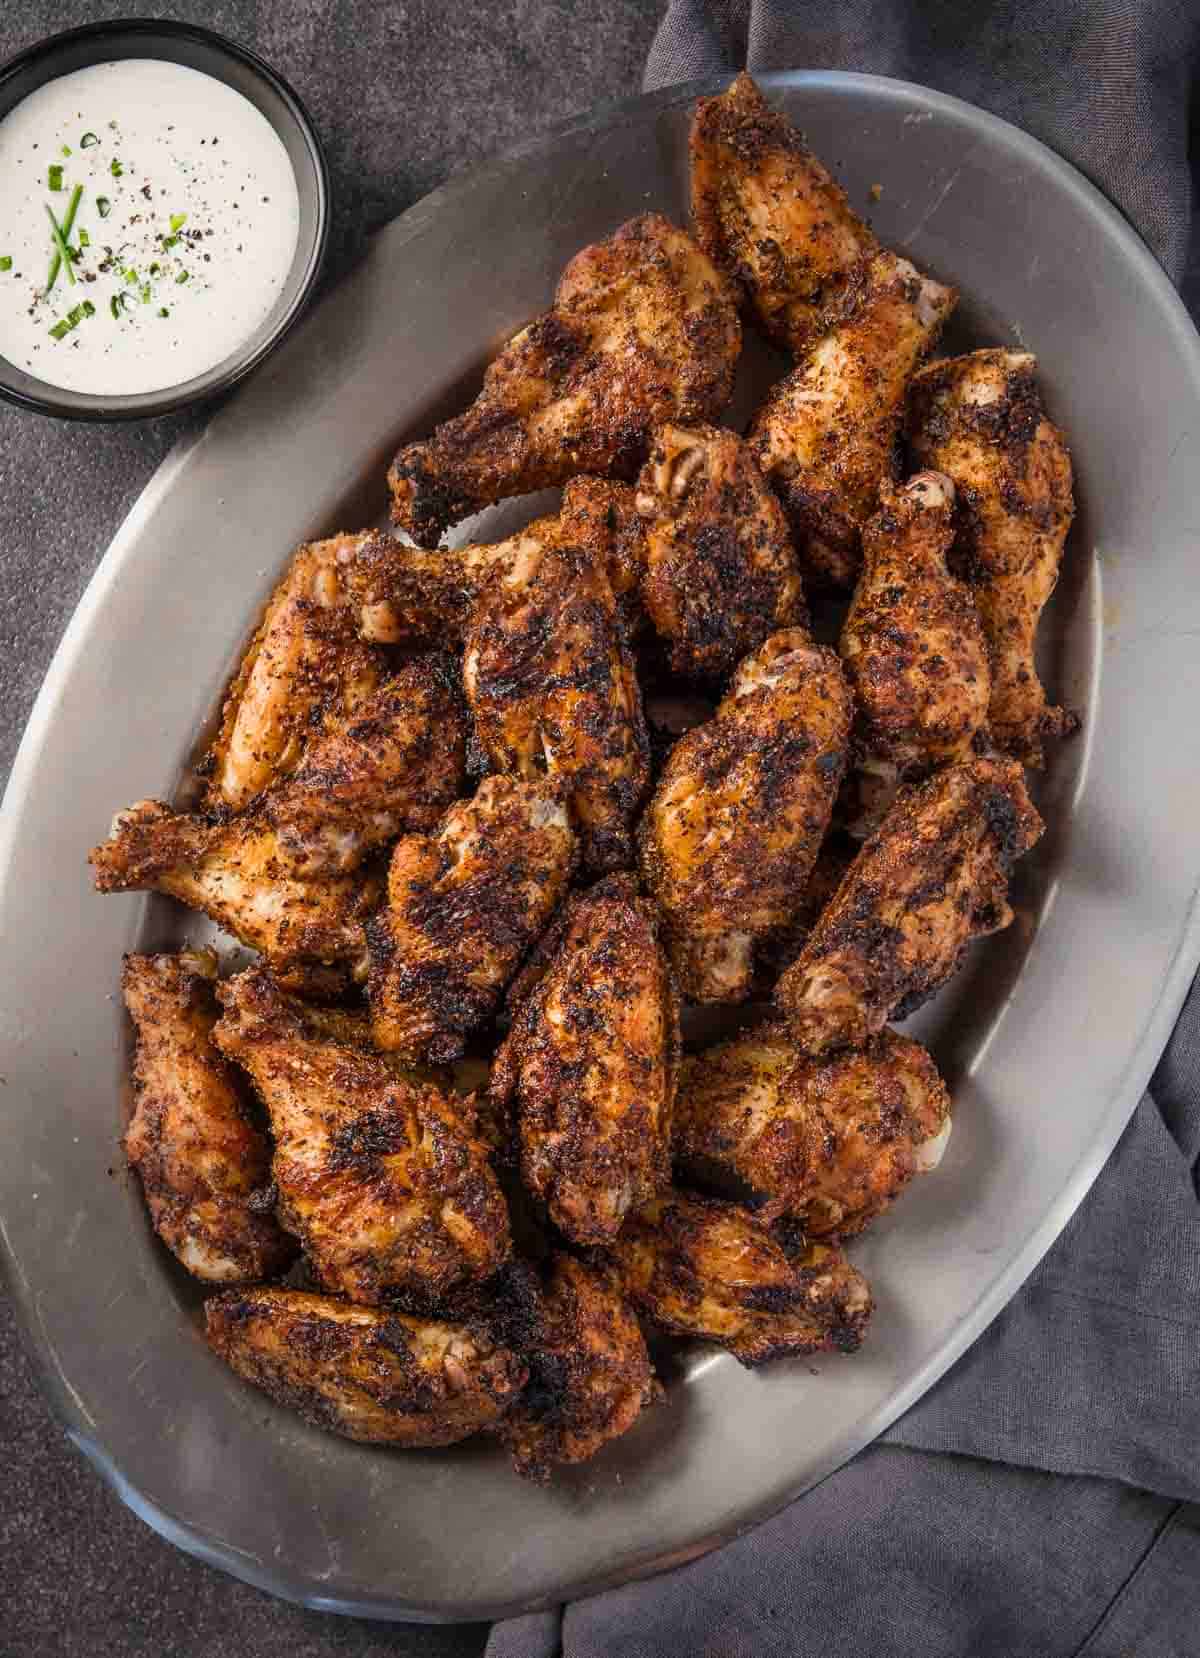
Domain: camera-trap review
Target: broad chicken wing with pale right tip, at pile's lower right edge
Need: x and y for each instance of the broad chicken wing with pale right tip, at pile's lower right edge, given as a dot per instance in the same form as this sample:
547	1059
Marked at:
830	1143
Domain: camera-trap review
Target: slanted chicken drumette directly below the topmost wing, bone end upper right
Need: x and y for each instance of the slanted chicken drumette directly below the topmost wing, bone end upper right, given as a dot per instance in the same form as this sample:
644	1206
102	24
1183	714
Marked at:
826	437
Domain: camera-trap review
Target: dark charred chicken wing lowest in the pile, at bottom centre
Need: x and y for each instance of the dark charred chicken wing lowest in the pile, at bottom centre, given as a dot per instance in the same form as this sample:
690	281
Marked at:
589	1370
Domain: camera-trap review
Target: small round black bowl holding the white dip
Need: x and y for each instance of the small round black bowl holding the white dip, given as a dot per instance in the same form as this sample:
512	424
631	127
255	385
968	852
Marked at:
196	49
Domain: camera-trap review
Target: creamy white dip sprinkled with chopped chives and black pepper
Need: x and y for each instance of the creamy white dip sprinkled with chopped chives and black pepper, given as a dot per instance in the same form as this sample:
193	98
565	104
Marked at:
185	228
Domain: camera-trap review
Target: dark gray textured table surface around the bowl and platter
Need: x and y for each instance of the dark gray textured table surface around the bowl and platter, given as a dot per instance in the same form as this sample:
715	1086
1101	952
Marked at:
404	94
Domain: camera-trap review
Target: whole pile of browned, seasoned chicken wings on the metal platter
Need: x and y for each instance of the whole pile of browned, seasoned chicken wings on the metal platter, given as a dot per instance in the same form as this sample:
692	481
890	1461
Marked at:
490	817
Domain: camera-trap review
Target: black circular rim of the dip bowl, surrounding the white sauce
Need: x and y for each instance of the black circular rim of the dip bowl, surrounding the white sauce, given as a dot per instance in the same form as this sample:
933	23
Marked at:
150	405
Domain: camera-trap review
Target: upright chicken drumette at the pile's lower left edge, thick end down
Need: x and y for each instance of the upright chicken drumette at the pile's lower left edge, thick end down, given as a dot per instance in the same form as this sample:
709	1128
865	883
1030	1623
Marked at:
203	1163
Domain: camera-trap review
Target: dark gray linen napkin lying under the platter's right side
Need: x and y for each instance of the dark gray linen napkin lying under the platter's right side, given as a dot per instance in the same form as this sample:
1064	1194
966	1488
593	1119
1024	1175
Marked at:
1045	1498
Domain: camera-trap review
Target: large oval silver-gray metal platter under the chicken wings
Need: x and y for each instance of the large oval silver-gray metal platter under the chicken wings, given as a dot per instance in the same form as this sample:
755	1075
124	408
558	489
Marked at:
1048	1037
